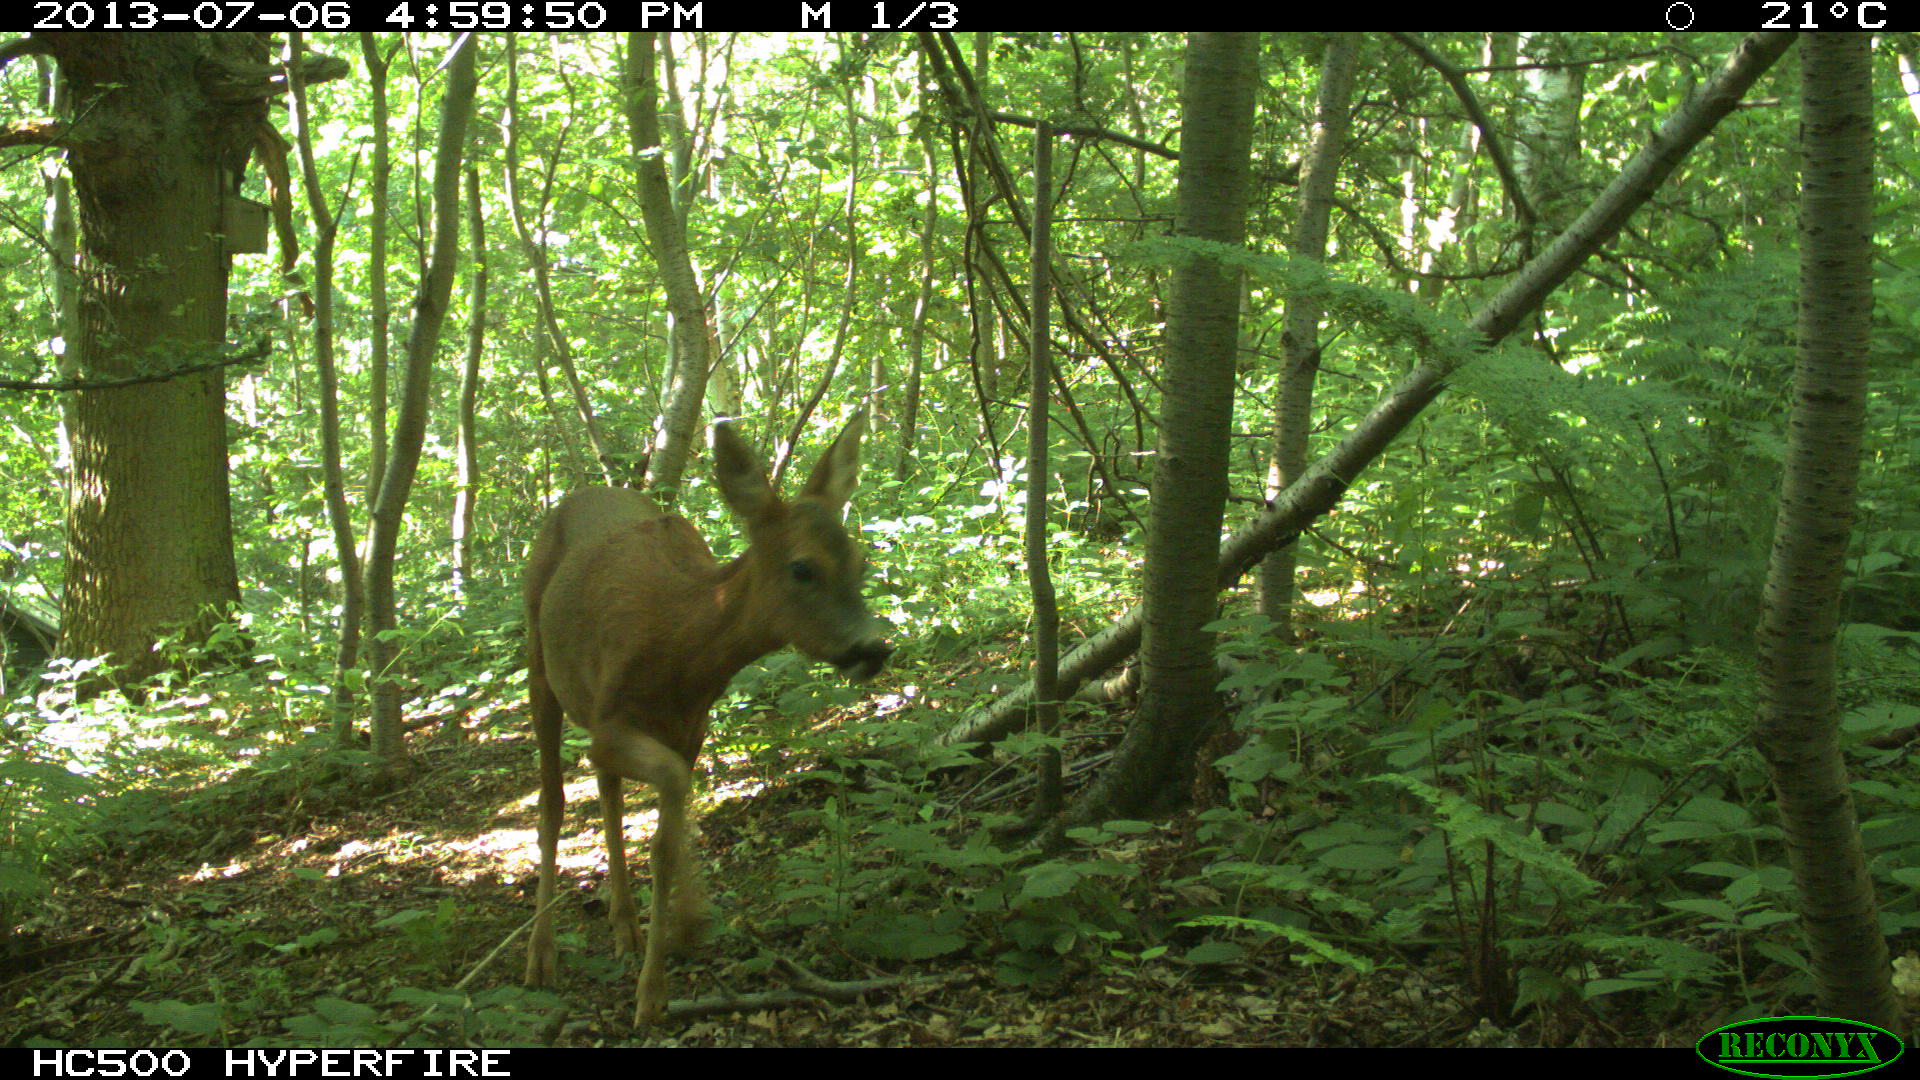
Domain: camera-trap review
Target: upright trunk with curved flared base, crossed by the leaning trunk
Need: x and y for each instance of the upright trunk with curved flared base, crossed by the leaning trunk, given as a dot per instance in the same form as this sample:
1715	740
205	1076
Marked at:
1155	766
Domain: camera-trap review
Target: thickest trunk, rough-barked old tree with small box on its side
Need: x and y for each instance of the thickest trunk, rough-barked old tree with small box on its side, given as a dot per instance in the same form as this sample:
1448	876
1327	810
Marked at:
149	522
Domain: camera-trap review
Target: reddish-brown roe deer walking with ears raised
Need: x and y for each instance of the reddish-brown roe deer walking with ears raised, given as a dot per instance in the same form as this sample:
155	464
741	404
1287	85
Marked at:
635	631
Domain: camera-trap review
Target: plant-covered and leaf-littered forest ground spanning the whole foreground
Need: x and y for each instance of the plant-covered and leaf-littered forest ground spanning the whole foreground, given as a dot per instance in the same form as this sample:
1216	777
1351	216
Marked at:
1426	839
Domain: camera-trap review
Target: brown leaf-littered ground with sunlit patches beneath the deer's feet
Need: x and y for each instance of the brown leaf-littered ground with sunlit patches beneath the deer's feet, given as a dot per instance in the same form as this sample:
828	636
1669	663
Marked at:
270	910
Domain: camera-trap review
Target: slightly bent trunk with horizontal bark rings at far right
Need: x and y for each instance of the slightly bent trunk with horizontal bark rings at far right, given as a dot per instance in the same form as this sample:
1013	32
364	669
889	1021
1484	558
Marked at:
1798	727
